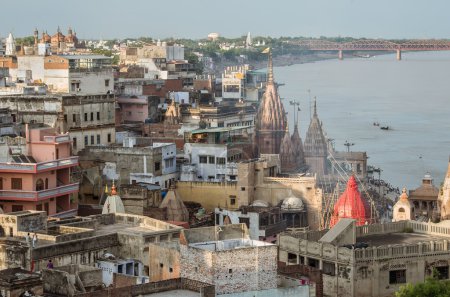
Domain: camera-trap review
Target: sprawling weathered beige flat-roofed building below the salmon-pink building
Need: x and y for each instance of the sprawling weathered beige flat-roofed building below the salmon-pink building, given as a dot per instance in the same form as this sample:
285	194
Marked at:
78	240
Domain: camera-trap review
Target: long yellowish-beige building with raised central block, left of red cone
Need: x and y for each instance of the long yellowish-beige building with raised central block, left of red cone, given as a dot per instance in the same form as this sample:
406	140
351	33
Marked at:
256	180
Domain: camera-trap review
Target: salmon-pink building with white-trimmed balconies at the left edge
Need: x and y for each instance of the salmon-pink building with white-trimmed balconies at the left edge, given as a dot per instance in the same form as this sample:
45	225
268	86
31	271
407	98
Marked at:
37	176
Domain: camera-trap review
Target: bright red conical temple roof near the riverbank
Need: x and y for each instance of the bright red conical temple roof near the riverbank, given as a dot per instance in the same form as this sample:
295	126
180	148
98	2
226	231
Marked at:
351	205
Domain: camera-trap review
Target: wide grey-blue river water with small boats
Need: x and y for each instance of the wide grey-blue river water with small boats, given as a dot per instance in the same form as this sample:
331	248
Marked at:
412	96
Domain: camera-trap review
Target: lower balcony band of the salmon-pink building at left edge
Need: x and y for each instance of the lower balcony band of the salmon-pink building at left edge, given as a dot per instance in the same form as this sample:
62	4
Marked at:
38	195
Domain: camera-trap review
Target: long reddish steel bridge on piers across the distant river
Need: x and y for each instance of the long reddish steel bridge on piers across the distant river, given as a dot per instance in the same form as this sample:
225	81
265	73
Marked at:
374	45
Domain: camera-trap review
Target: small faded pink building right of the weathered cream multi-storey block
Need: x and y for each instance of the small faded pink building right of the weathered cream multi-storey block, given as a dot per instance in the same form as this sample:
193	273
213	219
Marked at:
133	109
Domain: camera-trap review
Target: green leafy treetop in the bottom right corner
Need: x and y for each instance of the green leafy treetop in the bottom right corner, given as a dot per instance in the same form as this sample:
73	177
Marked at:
432	287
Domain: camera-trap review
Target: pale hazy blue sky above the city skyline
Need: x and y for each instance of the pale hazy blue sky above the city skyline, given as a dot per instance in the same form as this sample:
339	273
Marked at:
231	18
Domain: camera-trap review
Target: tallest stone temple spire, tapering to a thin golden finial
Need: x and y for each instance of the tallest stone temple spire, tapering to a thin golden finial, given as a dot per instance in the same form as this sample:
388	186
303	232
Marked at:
270	121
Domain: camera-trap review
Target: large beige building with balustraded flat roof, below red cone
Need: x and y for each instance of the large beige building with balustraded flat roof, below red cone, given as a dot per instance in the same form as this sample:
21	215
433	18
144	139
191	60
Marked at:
371	260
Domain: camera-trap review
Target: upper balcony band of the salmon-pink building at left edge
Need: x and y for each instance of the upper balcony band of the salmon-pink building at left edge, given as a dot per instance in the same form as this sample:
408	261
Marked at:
39	167
